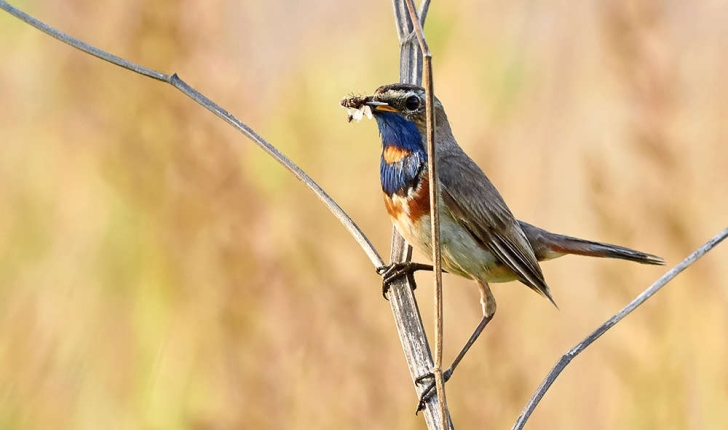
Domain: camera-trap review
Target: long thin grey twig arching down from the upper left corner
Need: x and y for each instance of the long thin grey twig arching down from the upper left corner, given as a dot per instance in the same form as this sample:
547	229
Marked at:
208	104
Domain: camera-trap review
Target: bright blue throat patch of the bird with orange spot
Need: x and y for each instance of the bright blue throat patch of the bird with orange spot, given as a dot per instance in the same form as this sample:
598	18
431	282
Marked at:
398	176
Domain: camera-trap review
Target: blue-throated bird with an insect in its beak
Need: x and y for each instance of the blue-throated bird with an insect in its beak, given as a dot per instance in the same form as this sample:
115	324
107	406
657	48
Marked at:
480	238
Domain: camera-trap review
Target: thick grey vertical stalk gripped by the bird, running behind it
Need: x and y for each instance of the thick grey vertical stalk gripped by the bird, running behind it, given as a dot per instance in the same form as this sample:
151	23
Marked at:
401	298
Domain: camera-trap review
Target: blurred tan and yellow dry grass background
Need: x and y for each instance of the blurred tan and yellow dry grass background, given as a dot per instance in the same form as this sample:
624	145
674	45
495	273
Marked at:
158	271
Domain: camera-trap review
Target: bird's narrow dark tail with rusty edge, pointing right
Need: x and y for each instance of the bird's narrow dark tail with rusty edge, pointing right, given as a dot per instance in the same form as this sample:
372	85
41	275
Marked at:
547	245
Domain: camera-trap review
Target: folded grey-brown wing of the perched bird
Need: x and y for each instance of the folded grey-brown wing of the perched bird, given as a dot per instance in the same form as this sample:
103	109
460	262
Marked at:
480	209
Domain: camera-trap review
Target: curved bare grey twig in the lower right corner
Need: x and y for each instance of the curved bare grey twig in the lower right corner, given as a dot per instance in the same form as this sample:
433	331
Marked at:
596	334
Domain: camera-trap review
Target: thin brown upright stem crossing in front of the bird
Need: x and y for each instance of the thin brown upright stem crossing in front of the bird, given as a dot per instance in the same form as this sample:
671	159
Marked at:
434	207
